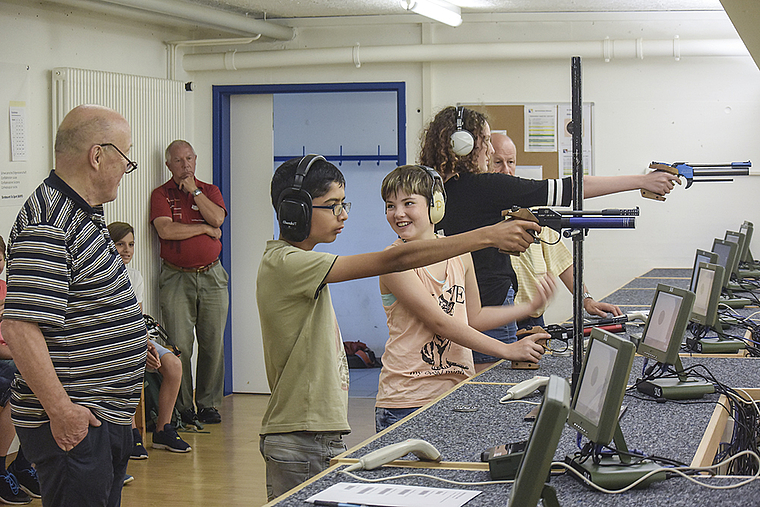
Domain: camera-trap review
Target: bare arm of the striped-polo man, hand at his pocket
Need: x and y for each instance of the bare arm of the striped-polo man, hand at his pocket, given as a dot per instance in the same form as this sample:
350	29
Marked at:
69	422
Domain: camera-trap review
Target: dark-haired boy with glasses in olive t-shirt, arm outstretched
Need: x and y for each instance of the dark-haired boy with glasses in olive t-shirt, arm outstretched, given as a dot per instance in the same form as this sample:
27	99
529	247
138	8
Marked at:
306	365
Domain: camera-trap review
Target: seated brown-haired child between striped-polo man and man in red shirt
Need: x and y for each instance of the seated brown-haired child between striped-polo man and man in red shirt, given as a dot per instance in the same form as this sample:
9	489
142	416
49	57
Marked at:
165	436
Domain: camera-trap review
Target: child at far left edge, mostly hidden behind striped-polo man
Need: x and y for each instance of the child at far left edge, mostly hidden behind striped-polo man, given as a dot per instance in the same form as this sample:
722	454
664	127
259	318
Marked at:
19	482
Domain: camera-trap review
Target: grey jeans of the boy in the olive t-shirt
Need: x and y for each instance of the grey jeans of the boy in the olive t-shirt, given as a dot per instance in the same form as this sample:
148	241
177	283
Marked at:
293	458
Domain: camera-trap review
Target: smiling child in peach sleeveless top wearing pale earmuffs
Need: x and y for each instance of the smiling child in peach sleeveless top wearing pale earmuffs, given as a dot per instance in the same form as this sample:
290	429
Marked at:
434	312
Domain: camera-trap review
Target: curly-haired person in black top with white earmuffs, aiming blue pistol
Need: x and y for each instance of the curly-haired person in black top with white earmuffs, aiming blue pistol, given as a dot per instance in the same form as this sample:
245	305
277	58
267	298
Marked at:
475	197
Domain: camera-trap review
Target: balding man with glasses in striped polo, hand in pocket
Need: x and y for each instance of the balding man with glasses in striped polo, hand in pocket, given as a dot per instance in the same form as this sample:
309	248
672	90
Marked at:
72	321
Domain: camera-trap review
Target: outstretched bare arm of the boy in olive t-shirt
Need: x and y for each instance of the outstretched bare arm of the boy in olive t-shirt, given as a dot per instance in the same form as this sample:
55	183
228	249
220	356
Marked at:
509	235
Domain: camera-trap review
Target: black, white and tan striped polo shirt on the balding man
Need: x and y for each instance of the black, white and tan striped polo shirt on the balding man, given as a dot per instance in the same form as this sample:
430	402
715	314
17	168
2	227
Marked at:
65	275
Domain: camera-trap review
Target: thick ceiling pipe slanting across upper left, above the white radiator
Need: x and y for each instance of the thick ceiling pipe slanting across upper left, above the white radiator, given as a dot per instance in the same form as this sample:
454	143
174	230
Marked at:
174	13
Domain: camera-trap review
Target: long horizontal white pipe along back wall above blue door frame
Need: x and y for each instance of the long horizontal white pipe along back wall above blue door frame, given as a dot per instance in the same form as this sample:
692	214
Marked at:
355	55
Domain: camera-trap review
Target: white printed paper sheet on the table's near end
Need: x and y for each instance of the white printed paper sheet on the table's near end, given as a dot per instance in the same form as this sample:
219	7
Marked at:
394	495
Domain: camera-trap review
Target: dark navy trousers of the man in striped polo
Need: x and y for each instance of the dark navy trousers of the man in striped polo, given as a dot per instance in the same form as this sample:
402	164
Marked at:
90	474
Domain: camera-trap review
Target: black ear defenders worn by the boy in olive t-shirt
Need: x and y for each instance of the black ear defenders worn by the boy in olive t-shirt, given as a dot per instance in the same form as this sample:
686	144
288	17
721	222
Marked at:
294	204
